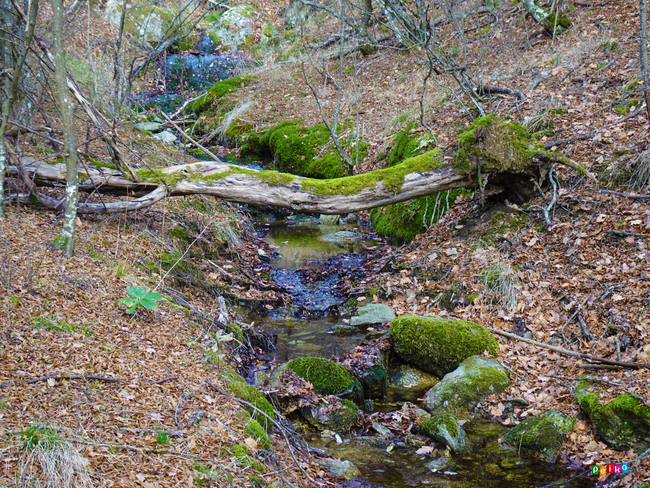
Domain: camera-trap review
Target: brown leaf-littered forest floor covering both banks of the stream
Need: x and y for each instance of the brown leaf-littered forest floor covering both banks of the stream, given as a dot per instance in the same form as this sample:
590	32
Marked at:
580	283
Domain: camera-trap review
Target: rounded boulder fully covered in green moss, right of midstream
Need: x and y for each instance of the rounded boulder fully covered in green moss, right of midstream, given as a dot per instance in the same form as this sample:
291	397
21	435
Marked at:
438	345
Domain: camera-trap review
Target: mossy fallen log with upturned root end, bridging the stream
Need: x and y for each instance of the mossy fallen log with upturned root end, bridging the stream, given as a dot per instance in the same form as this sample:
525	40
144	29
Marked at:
491	152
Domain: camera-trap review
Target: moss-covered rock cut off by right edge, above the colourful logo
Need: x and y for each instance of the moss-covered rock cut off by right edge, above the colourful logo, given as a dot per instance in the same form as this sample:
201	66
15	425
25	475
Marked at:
622	424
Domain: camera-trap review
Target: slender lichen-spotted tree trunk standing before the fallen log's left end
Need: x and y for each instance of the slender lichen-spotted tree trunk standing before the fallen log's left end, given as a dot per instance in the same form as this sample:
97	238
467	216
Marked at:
65	240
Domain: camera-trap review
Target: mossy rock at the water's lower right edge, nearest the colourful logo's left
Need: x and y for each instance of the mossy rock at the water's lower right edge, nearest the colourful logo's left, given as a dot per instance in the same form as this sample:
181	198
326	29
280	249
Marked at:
543	435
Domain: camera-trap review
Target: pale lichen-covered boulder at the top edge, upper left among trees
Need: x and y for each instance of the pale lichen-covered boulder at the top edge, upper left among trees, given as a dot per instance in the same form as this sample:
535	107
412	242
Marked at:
146	21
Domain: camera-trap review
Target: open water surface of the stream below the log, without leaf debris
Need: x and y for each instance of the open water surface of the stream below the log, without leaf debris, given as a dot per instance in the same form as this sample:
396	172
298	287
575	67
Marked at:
305	328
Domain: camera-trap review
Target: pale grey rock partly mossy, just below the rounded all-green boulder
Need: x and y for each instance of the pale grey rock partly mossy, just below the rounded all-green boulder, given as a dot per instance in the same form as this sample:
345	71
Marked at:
460	390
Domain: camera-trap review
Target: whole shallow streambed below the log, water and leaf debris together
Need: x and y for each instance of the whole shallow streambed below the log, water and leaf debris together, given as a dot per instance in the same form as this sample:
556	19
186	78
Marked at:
318	264
